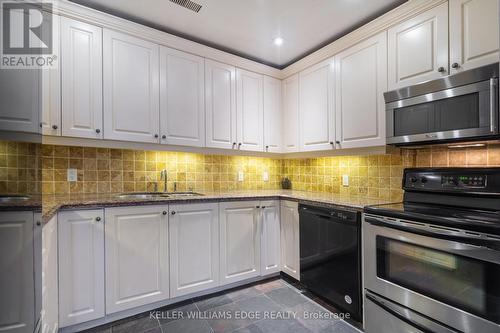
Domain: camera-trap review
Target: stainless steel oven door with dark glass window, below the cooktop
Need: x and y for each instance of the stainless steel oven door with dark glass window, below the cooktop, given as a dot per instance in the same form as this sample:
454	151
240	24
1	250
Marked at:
434	271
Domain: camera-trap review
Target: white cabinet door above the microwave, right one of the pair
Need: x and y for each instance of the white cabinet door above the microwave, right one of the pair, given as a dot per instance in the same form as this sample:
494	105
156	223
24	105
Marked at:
473	33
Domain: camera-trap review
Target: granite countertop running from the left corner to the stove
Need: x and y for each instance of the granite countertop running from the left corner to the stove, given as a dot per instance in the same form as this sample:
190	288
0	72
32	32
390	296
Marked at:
54	203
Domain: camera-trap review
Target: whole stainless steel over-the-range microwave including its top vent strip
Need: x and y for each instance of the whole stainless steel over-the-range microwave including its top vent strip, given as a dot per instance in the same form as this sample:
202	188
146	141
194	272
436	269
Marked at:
460	107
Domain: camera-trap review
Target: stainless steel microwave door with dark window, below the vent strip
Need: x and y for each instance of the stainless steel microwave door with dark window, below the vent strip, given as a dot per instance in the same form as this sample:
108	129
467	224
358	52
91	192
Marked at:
457	113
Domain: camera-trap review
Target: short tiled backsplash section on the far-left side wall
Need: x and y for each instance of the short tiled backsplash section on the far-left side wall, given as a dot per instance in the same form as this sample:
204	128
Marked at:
19	168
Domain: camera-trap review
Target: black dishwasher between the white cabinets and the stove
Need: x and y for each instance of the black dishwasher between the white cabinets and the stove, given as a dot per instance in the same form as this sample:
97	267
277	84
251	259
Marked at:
330	256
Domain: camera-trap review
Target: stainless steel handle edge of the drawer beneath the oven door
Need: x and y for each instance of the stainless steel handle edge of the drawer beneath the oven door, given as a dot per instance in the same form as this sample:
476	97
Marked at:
409	316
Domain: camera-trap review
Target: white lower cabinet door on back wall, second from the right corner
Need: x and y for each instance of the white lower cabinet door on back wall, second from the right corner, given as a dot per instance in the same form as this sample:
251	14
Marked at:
239	241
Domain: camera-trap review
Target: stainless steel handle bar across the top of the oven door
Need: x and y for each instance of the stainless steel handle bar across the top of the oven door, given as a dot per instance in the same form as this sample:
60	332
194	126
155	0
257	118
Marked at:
440	233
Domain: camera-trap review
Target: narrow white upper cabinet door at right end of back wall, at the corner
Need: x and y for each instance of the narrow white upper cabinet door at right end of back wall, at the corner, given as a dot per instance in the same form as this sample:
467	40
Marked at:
273	118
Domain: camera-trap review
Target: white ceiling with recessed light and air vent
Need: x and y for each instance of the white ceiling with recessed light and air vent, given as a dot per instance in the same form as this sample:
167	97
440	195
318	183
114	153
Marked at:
248	27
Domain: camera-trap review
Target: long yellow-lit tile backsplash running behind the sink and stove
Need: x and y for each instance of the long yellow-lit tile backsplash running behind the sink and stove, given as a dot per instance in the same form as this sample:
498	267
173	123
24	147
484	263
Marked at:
120	170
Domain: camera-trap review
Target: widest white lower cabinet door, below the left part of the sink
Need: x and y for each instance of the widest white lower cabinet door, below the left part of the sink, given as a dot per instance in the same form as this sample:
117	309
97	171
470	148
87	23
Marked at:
136	256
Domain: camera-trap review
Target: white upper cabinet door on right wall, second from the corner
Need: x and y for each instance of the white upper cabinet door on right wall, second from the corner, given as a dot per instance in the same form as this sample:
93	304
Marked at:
316	107
